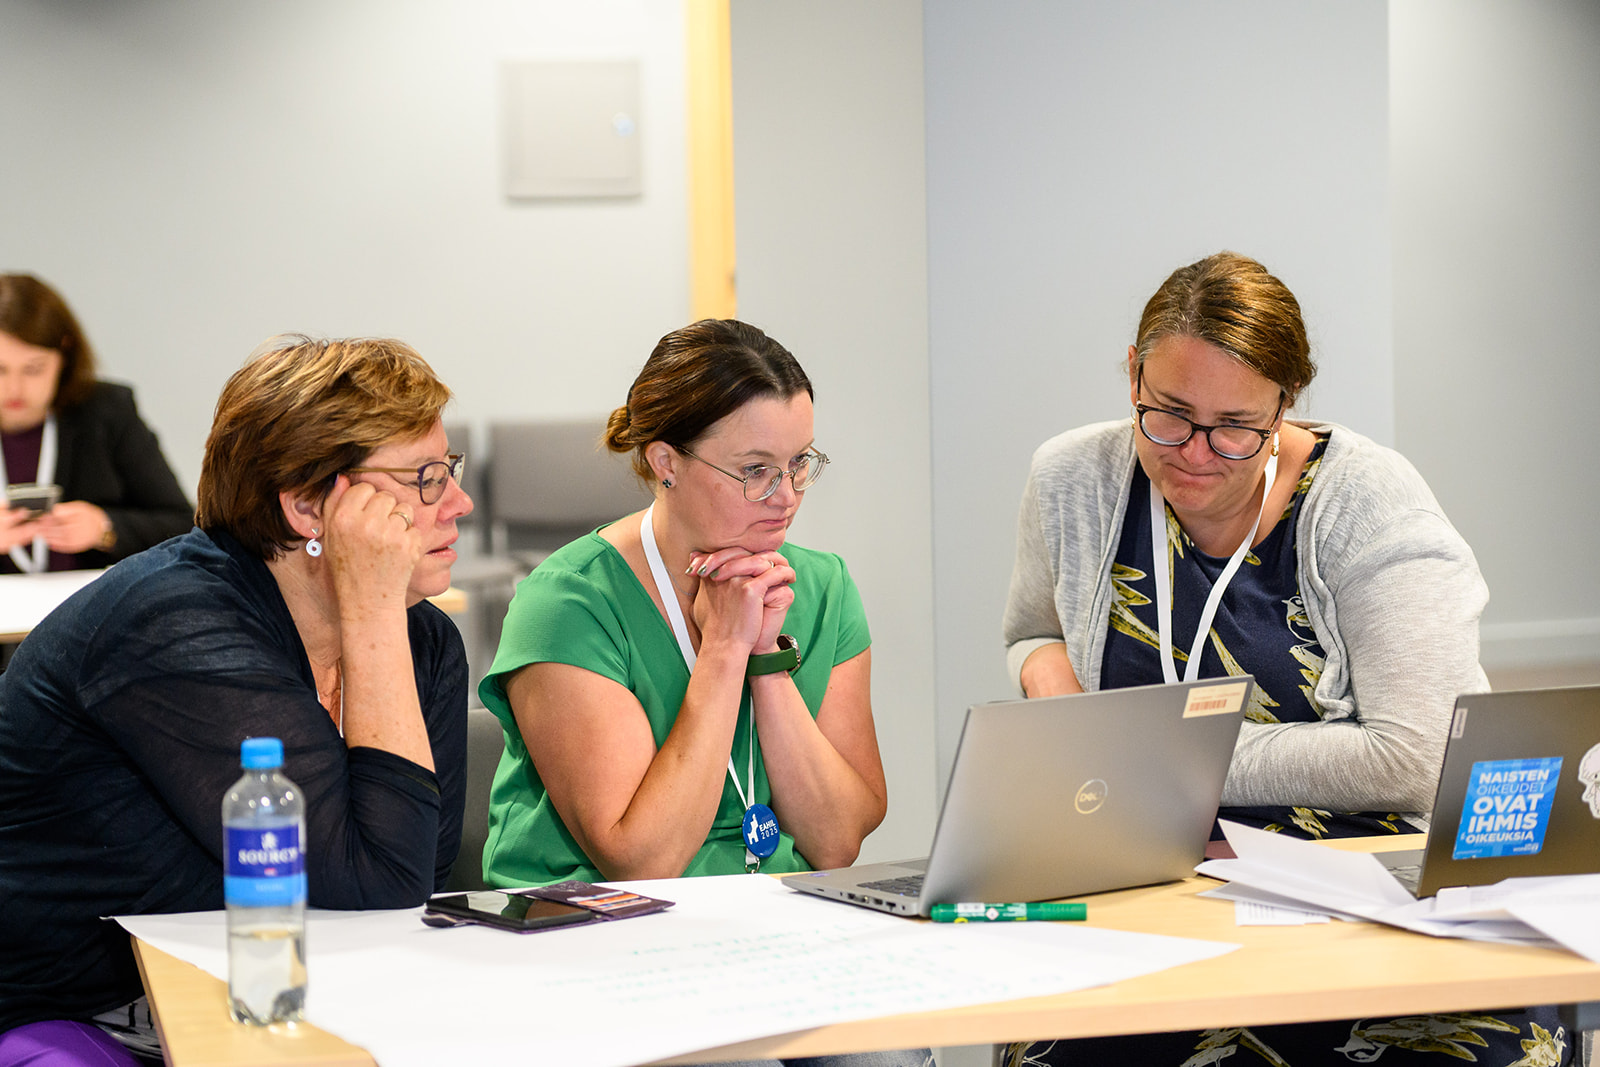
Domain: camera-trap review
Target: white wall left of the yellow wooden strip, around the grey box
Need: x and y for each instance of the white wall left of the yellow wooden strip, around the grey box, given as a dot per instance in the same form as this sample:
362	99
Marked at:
198	177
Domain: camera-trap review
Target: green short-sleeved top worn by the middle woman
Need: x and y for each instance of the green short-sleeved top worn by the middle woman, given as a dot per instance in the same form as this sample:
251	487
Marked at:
586	609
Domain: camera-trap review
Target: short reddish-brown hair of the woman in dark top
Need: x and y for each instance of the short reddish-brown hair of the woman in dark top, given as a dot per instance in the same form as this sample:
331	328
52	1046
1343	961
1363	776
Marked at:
298	414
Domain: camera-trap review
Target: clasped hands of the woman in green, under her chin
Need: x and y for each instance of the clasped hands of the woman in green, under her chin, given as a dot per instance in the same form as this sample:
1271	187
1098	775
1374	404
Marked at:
743	597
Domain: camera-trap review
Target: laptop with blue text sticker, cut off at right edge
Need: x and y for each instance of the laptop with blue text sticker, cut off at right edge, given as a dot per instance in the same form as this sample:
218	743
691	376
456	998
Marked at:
1519	793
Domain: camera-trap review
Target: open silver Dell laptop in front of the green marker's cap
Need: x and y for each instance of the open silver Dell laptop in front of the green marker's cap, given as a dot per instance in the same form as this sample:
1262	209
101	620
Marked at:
1066	796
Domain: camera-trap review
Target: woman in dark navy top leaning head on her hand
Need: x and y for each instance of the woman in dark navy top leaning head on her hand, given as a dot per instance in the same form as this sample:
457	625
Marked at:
329	508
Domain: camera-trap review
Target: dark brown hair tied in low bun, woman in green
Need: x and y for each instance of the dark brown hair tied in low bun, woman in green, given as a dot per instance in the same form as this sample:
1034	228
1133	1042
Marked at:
695	378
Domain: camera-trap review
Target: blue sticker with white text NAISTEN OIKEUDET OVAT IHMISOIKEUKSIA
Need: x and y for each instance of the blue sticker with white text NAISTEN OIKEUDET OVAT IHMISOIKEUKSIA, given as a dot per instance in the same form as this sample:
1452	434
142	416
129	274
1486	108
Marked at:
1508	807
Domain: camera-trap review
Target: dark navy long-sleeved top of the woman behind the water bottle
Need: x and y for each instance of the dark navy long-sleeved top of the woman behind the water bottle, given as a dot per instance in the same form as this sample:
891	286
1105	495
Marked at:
121	722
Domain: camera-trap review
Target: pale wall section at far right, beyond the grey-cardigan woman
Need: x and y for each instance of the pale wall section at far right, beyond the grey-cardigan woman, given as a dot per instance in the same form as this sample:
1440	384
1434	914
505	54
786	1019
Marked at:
1497	236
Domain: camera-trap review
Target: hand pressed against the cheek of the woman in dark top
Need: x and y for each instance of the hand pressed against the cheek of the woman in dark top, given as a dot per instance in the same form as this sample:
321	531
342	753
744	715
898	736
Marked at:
370	546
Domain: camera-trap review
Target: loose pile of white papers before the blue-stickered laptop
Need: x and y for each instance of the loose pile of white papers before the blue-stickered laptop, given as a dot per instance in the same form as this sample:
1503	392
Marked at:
1278	871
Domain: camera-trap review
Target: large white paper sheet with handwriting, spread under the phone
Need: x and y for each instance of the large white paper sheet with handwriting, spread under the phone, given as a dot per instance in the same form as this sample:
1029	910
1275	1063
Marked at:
737	959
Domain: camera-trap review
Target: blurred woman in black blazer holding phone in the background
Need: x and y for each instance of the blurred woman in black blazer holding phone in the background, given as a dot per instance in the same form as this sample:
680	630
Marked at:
63	428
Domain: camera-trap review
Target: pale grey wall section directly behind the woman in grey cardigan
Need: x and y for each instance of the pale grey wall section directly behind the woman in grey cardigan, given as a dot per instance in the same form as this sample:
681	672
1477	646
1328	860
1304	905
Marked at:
1078	154
